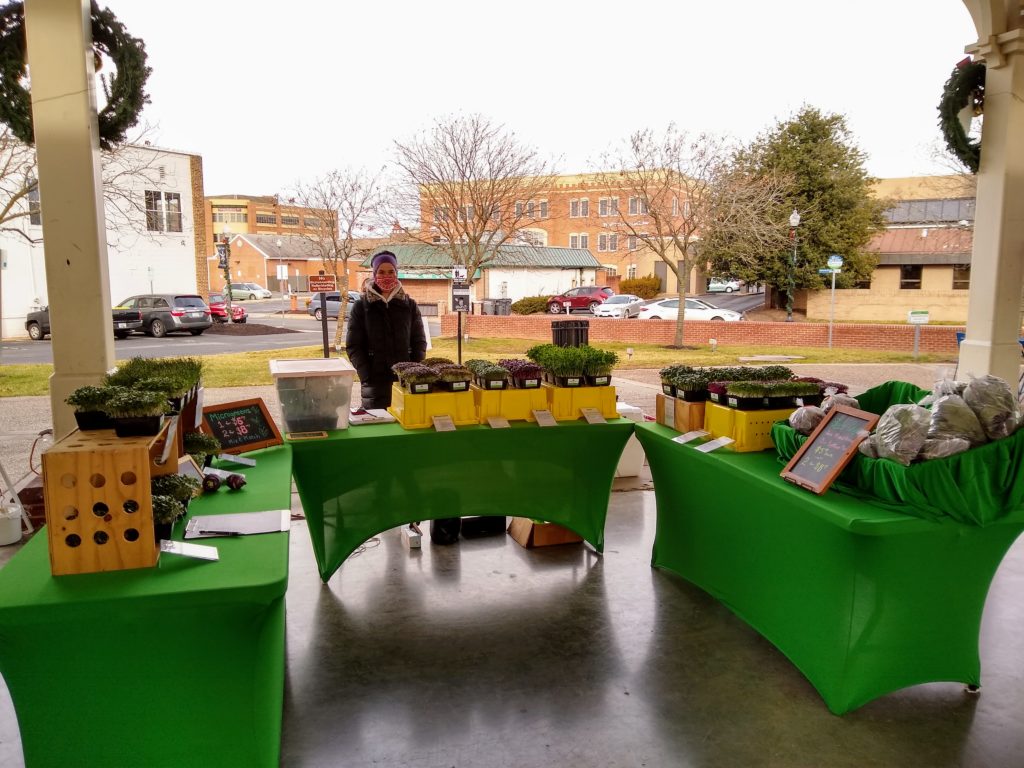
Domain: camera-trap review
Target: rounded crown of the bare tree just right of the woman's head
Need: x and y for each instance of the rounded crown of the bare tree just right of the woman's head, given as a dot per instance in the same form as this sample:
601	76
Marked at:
470	187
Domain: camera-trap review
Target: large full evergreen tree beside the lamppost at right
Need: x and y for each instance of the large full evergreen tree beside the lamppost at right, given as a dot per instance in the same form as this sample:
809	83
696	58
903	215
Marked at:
830	189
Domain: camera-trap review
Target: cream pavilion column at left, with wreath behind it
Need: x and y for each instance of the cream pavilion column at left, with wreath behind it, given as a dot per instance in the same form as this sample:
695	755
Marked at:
64	109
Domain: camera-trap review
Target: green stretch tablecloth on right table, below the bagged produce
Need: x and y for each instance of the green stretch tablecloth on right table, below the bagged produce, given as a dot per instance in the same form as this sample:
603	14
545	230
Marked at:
862	600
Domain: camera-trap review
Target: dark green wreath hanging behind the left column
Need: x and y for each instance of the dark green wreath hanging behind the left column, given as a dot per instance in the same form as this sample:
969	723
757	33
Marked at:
125	92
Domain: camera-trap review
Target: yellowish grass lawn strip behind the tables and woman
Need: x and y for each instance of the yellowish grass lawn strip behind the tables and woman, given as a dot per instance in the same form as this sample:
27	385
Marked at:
250	369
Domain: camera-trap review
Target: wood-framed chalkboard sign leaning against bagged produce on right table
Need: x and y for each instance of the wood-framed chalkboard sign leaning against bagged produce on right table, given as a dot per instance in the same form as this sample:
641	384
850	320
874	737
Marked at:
829	449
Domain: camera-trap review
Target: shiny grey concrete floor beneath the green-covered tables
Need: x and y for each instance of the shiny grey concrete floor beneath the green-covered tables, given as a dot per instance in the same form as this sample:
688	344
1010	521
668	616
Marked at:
486	655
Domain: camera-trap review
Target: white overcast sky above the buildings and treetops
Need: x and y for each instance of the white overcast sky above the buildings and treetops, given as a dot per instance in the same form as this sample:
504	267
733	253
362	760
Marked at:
273	94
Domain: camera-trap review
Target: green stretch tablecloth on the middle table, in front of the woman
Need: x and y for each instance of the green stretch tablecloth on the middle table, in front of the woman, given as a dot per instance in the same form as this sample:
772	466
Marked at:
370	479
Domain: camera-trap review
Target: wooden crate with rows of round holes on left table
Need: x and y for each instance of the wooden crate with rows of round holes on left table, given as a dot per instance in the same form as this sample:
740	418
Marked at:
99	503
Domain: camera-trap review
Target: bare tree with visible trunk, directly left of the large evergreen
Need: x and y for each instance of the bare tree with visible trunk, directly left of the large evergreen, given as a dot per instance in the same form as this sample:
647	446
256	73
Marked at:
681	190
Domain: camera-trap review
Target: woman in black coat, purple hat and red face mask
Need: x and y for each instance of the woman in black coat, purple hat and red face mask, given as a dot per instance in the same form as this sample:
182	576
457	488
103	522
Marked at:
385	328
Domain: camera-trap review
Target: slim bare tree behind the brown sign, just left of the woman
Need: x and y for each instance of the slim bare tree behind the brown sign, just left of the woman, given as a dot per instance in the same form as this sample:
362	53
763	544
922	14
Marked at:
346	205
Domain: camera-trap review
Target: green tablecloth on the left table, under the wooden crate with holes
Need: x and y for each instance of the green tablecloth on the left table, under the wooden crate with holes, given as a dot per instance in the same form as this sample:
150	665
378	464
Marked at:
176	666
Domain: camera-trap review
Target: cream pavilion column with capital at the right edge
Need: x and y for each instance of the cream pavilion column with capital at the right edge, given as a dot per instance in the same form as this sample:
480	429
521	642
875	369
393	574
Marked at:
998	261
